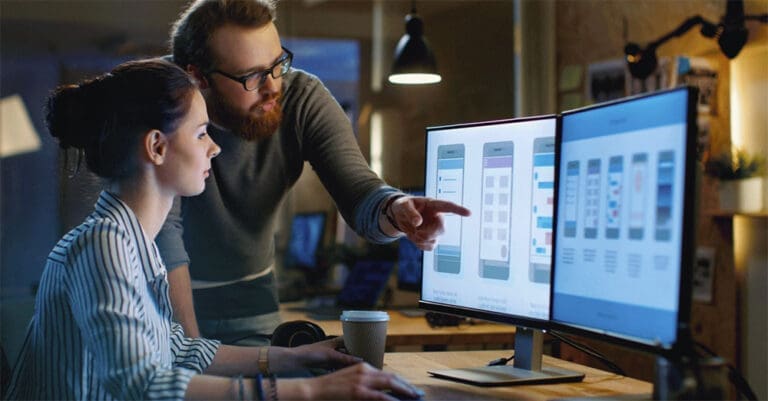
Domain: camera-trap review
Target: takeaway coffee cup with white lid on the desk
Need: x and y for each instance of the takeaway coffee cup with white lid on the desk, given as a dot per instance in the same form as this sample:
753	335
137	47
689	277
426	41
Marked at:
365	334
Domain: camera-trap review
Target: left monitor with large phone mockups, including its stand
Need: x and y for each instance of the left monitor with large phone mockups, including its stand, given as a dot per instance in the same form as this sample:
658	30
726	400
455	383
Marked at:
495	264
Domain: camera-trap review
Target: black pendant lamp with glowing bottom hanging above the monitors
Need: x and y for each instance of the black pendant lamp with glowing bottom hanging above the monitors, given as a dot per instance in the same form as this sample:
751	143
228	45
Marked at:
414	61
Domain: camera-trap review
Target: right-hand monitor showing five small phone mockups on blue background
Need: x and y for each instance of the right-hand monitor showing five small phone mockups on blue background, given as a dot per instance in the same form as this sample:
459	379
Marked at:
624	213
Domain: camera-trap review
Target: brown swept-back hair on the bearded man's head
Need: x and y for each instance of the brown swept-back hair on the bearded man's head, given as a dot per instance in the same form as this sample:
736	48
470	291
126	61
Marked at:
190	33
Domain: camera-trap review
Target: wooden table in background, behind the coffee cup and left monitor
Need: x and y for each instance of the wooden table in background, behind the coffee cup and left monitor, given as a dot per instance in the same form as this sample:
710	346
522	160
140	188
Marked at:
408	330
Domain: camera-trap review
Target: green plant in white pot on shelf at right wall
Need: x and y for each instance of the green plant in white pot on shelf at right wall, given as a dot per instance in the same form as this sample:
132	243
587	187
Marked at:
741	180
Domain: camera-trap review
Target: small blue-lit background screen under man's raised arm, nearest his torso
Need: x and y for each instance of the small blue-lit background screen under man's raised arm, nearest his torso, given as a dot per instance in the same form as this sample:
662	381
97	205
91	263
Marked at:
305	240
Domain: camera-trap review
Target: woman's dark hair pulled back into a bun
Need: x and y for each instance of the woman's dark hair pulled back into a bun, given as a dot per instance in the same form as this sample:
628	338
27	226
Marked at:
106	117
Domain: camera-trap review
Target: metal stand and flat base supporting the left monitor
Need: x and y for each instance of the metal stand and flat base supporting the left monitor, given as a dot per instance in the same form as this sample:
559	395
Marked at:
526	369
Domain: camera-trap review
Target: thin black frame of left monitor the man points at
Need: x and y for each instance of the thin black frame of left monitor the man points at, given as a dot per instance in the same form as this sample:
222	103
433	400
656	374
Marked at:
464	311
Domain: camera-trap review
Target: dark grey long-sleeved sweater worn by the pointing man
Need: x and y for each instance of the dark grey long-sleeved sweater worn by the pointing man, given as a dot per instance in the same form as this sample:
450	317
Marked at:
227	232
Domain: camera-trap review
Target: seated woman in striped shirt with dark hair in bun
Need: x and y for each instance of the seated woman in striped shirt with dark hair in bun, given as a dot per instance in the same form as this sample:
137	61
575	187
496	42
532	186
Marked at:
102	325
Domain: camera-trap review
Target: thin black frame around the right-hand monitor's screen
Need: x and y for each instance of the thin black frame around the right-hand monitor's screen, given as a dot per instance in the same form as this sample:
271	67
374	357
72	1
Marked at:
683	334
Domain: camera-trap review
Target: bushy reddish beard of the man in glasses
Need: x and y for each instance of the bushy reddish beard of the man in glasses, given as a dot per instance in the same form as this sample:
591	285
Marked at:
248	125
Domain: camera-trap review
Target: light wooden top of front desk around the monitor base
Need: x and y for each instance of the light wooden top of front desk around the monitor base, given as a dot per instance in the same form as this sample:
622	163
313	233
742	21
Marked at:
413	366
